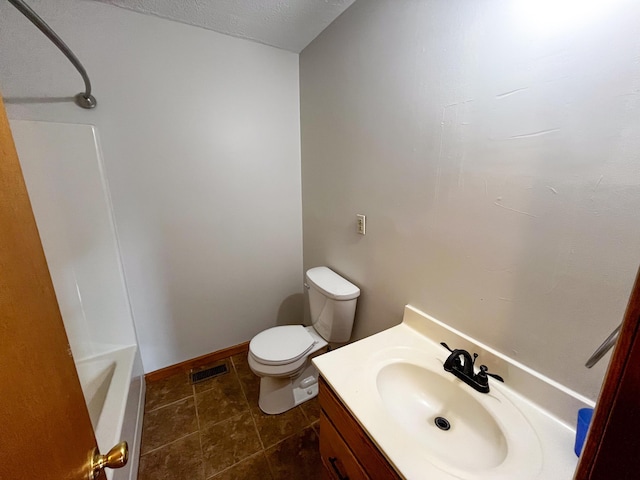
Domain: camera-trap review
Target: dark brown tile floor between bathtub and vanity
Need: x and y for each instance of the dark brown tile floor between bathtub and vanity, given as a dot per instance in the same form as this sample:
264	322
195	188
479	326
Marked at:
215	430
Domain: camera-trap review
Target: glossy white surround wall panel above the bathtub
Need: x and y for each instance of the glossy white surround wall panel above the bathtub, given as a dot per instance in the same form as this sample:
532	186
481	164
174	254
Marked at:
63	169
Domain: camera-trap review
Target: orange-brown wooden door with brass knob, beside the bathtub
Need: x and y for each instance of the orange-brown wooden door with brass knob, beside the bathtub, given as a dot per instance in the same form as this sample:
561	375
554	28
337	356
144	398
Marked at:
45	431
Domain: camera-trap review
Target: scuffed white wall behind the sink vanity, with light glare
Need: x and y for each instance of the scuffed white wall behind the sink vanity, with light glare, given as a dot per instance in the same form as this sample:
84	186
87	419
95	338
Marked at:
495	149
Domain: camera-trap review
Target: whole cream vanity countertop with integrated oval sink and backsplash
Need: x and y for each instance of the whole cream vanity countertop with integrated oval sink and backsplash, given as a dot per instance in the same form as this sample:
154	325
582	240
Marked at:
397	389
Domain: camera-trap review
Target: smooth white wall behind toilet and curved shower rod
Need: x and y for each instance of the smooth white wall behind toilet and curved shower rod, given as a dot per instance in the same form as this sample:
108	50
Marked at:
200	135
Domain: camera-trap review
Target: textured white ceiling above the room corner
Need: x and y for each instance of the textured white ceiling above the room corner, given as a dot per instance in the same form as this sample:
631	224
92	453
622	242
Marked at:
287	24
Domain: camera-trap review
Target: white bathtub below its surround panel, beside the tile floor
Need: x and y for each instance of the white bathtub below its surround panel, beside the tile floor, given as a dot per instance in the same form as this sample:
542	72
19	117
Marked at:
114	400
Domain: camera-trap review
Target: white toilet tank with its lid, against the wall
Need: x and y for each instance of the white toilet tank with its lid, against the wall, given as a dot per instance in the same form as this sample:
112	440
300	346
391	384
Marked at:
332	301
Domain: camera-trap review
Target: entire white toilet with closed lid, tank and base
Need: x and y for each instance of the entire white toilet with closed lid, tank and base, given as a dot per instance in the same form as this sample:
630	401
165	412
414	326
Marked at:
281	356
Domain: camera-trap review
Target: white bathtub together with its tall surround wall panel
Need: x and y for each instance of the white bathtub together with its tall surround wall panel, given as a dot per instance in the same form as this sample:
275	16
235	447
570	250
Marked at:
62	167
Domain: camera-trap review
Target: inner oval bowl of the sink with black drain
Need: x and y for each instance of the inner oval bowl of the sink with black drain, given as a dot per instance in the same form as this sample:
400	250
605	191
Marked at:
440	413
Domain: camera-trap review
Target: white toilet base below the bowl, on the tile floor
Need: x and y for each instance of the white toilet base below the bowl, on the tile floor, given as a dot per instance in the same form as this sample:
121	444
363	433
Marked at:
279	394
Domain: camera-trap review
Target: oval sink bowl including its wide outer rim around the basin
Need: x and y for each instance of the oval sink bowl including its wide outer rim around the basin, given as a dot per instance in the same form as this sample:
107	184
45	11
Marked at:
468	434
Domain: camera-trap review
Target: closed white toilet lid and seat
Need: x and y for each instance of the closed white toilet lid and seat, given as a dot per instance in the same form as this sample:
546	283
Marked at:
281	345
